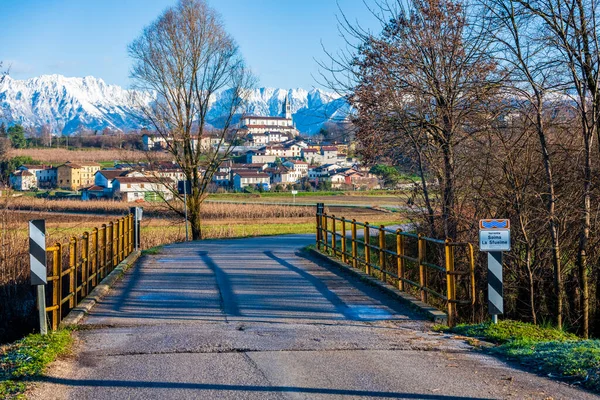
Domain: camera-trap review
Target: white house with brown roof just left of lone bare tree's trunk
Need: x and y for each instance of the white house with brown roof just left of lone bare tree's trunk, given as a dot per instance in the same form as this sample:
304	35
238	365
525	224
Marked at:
130	189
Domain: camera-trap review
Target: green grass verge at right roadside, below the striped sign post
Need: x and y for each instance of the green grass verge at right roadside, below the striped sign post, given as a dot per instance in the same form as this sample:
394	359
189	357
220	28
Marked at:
546	350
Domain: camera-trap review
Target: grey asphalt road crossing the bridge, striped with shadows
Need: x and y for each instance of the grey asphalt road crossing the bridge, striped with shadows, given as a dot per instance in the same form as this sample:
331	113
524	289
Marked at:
257	319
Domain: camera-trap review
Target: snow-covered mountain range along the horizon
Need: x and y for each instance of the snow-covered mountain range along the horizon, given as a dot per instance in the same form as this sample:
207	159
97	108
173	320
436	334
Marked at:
70	104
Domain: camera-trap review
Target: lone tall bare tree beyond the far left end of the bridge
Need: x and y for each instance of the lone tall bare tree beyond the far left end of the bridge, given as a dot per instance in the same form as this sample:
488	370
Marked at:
185	58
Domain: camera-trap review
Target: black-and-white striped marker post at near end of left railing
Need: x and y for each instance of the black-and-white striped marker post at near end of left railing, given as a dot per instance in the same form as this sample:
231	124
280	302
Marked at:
37	263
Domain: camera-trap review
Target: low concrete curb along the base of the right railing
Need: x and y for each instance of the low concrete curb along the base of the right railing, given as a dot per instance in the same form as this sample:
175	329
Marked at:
431	313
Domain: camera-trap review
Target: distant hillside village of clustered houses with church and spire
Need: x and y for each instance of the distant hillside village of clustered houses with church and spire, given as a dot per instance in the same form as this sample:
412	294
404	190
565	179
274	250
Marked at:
269	154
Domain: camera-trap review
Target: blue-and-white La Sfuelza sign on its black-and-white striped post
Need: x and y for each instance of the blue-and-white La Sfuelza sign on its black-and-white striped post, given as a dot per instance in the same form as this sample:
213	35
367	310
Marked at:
494	238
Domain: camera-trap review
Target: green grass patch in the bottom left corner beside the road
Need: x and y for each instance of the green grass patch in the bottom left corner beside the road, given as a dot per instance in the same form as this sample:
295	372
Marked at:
28	358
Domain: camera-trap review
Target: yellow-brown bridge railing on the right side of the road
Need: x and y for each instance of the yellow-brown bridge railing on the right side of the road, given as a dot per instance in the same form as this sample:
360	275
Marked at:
423	266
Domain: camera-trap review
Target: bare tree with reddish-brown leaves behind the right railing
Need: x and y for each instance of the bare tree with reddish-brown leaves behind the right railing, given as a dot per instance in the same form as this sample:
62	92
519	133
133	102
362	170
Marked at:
427	74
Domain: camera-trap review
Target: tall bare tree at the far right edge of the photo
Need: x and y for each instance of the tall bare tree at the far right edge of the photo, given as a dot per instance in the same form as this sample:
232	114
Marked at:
570	28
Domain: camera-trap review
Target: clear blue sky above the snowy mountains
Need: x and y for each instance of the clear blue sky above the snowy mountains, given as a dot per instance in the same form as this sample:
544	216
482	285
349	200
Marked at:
279	38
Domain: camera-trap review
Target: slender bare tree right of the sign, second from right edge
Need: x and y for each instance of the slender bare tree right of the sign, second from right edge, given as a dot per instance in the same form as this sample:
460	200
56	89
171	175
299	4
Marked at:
530	79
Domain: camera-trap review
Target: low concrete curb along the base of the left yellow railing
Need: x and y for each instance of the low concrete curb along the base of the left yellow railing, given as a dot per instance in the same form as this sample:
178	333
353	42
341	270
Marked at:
83	308
